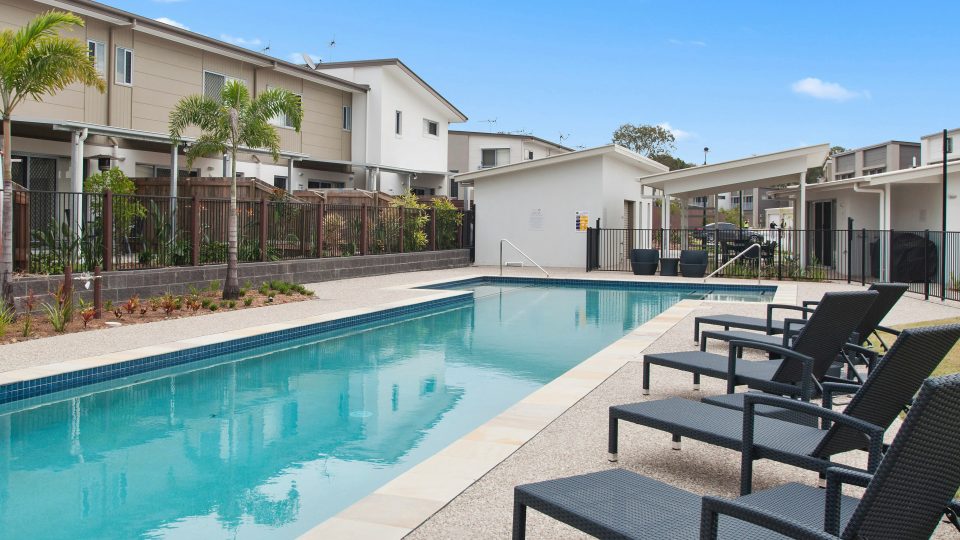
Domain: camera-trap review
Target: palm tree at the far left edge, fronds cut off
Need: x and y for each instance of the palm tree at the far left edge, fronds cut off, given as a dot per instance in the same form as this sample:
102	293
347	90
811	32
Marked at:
36	62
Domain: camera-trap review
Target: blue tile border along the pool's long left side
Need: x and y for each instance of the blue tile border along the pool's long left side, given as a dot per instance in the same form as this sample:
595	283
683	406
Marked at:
65	381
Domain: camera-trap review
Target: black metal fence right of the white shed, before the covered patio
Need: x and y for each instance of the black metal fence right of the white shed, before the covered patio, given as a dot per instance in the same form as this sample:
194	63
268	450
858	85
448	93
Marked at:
928	260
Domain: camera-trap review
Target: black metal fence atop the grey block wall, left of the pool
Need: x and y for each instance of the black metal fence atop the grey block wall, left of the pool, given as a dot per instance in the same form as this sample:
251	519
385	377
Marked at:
131	232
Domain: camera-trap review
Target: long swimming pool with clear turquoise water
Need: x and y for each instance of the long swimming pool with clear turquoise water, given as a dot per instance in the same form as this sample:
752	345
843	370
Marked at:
273	439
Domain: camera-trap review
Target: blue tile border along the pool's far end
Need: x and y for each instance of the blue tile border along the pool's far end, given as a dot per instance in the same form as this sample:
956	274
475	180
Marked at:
602	284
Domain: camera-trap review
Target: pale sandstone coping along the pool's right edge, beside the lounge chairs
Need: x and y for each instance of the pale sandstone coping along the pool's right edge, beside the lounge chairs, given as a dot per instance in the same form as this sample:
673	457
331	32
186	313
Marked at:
401	505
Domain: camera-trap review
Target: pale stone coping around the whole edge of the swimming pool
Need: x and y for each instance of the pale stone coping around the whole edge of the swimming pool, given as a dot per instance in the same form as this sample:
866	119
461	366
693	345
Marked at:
402	504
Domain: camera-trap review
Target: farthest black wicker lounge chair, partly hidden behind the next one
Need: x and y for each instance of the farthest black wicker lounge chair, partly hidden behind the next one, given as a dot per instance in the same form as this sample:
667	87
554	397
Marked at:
890	294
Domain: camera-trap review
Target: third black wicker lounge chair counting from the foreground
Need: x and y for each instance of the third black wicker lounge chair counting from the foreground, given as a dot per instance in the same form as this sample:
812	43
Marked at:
814	348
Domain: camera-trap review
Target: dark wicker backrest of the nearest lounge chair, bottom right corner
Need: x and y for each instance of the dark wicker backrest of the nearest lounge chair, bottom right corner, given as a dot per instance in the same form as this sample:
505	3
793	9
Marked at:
919	474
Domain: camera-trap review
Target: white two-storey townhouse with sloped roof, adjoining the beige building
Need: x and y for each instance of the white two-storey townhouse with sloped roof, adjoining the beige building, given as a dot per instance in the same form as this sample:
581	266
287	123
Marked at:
403	143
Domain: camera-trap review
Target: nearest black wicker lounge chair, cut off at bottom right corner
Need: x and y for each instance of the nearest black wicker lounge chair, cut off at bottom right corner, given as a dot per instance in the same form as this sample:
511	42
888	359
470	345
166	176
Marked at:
905	498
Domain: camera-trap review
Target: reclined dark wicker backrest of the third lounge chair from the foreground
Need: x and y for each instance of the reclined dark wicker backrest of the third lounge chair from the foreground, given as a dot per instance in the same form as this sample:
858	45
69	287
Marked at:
828	328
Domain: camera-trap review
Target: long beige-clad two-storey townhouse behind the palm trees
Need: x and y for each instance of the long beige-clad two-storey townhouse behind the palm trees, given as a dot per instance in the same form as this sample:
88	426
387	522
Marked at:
149	66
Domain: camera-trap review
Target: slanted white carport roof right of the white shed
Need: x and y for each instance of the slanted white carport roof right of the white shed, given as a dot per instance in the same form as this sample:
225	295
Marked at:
765	170
